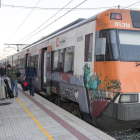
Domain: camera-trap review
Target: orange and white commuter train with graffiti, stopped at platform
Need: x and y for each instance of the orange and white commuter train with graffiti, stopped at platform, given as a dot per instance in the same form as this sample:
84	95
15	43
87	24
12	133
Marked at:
92	65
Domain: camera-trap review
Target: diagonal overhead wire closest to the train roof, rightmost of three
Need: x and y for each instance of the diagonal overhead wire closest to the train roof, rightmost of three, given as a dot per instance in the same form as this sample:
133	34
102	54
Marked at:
56	20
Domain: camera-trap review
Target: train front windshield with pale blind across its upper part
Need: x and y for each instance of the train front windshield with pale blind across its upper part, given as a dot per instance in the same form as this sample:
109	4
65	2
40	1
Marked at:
129	45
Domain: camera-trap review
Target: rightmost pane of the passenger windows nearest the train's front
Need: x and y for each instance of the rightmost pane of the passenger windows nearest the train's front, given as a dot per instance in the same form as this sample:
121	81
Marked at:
69	60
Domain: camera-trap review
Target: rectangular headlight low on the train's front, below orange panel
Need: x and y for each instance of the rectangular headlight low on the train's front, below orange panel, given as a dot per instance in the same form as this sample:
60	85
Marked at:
128	98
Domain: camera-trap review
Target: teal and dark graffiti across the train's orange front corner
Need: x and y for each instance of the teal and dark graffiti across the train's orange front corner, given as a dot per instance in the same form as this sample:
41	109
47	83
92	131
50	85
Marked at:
98	88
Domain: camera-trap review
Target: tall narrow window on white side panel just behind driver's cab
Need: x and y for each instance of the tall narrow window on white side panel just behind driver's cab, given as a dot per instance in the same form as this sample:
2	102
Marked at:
88	47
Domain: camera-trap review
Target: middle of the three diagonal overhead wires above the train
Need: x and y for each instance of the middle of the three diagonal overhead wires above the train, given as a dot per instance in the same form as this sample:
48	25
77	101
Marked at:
46	21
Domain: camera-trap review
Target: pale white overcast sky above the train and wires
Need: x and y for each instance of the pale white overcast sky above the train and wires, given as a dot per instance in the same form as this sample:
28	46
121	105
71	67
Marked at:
11	18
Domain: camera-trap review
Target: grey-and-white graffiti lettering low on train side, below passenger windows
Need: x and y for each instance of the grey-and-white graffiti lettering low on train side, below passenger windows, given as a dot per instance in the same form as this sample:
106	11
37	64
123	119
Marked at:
69	93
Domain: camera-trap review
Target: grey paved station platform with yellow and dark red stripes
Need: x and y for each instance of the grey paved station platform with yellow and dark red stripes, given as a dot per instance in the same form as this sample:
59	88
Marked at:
35	118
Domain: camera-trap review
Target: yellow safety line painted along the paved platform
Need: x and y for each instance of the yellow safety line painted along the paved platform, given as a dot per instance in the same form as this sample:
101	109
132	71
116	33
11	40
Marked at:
36	121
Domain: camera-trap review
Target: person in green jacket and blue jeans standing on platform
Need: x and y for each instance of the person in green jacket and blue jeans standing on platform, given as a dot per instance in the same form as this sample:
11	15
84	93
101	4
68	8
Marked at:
11	73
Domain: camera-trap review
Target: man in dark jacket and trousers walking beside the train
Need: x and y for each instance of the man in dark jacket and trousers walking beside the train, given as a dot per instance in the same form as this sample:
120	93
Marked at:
30	73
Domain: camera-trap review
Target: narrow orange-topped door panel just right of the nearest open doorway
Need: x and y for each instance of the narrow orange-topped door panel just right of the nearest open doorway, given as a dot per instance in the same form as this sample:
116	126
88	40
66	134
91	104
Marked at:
48	70
